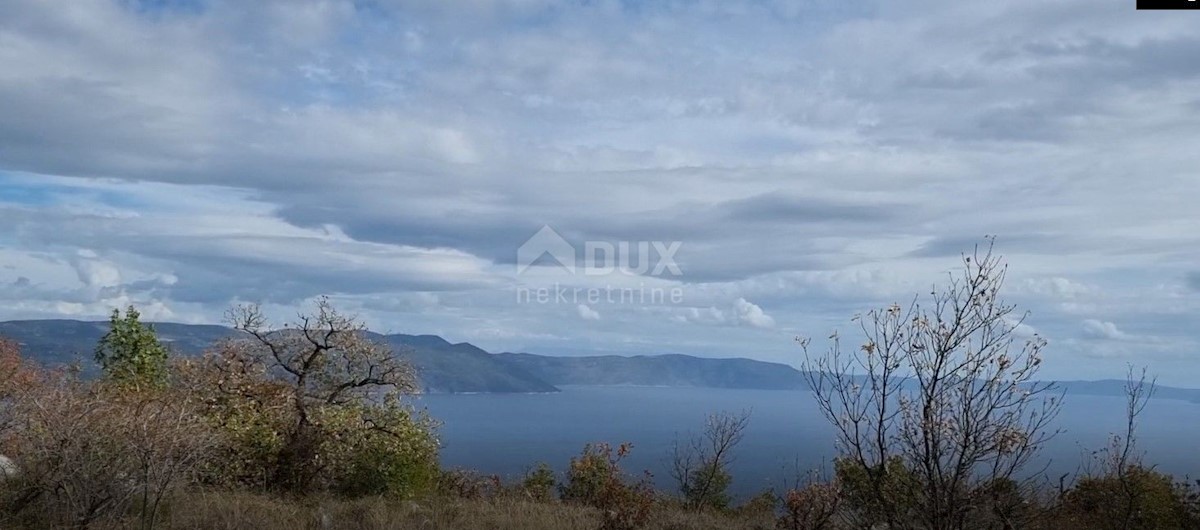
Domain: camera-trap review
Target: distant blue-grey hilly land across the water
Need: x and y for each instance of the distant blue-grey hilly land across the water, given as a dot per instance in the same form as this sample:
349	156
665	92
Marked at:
447	368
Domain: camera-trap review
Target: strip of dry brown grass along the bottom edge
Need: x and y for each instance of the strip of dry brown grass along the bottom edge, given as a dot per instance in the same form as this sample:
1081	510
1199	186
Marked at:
243	511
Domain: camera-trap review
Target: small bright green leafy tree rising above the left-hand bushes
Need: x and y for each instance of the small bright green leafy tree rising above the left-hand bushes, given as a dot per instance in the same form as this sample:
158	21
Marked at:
131	353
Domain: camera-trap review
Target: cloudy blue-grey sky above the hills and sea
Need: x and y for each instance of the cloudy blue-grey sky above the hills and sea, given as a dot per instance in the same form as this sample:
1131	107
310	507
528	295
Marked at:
799	162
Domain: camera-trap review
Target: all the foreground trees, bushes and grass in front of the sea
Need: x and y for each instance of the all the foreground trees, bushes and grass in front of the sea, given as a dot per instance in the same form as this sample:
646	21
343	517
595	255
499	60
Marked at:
303	426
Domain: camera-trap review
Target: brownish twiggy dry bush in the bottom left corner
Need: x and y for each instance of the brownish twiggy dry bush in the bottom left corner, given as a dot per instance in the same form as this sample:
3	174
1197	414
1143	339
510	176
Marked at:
93	455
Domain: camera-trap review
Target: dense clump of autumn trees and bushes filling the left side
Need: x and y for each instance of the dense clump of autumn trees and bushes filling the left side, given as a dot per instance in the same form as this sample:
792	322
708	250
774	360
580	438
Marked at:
299	411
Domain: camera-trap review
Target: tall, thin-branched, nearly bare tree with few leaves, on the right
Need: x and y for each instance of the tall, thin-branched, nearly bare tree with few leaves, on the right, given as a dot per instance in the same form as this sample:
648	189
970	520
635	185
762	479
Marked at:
935	406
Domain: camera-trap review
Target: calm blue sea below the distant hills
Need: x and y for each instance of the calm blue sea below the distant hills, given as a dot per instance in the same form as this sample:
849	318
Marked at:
507	435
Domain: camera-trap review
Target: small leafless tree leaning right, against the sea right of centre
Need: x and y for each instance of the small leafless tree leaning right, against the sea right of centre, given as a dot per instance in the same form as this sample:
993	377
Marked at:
700	466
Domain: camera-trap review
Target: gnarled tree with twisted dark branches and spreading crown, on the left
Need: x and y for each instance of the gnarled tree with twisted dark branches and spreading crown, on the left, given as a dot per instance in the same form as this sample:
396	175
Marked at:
325	359
